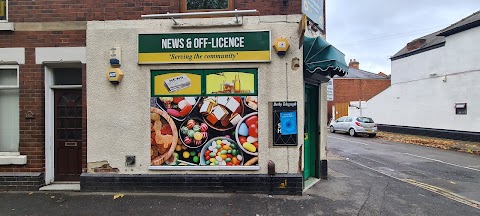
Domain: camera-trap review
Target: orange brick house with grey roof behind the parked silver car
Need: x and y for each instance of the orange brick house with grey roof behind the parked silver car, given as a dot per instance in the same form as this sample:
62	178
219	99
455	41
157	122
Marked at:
357	85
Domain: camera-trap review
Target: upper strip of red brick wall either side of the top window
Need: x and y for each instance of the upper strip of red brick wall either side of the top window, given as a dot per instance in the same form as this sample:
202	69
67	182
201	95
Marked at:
86	10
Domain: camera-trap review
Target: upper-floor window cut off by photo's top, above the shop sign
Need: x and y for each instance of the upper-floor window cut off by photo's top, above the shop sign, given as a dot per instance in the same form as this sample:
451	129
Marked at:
206	5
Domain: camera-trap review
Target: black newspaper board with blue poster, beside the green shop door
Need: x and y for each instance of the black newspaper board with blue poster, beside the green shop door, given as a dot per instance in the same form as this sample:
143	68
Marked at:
285	128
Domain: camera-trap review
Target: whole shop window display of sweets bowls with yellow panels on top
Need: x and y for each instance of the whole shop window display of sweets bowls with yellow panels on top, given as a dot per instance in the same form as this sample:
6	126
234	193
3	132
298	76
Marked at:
218	126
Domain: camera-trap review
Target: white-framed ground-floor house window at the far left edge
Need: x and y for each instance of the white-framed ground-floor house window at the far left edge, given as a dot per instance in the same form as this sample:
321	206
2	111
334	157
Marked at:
9	109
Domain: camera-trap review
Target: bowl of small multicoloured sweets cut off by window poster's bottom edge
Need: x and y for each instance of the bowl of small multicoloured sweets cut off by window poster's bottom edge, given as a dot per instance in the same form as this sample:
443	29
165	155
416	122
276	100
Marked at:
221	151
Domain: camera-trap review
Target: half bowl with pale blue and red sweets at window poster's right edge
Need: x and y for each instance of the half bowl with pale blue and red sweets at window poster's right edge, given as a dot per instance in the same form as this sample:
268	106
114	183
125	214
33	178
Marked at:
246	134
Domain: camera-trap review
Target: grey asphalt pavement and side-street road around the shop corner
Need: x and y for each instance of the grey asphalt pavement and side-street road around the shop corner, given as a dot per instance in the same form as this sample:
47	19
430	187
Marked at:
372	181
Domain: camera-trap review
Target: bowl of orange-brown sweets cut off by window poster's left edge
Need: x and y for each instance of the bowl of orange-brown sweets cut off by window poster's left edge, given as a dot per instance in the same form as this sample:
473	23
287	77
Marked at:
163	138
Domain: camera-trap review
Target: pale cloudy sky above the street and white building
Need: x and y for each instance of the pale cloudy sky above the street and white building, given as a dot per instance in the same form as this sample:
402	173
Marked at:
371	31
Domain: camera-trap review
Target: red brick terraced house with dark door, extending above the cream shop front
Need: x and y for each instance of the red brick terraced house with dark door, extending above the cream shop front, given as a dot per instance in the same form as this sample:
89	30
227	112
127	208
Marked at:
42	71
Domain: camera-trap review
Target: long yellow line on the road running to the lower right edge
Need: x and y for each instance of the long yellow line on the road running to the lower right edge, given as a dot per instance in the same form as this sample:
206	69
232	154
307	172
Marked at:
431	188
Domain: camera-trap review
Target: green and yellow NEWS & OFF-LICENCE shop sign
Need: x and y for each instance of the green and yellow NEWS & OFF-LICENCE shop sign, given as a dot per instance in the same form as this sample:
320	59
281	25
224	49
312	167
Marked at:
204	47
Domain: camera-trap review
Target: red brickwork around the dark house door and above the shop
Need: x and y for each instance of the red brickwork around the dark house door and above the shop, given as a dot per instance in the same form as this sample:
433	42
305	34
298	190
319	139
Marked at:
32	97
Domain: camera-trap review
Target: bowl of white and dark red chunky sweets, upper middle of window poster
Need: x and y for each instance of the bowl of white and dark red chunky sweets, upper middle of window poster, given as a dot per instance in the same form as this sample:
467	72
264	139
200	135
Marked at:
222	113
